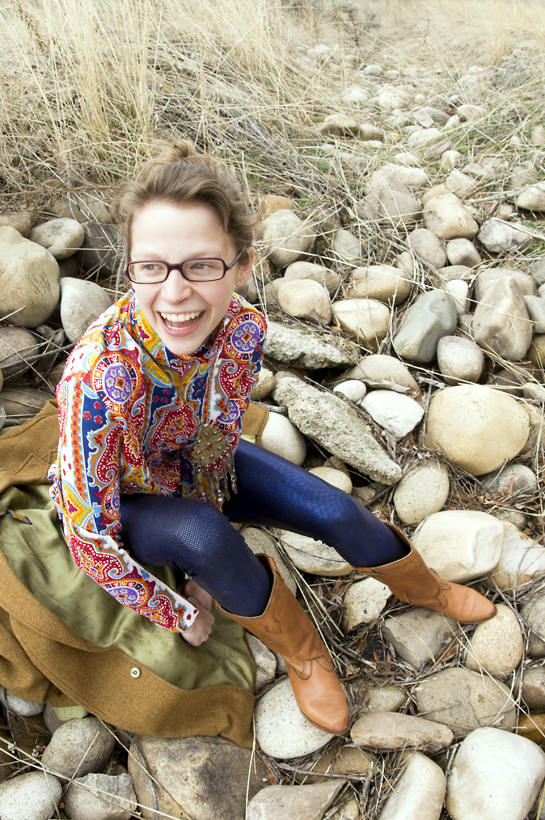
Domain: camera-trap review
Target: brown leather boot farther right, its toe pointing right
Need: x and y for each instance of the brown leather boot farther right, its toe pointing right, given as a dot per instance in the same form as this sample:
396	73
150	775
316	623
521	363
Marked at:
413	582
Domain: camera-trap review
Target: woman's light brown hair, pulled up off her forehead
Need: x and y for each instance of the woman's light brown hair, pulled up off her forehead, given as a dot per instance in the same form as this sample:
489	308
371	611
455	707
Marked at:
181	175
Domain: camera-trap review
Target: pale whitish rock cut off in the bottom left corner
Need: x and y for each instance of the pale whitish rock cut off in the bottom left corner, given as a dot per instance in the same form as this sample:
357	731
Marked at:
30	796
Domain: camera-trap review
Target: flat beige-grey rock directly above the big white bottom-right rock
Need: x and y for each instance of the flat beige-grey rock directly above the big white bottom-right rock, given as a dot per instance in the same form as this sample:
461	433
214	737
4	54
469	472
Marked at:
465	701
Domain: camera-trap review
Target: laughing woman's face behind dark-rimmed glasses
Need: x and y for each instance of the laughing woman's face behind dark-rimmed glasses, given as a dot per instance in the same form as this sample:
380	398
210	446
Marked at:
184	313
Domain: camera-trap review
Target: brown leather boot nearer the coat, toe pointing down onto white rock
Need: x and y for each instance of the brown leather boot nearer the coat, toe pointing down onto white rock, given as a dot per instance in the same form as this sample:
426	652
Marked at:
285	628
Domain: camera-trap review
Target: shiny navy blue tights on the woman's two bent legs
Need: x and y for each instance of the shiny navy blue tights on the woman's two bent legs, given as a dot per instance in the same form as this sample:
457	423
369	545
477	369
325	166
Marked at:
196	537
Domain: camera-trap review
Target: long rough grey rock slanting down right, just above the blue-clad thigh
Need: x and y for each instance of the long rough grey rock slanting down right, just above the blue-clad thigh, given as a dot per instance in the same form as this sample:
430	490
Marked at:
335	425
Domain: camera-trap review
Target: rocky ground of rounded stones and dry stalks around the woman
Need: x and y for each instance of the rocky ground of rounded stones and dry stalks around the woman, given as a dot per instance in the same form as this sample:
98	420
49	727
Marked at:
402	269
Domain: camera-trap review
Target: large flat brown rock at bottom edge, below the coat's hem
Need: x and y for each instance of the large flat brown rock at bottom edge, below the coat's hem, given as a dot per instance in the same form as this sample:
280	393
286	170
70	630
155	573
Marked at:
203	777
